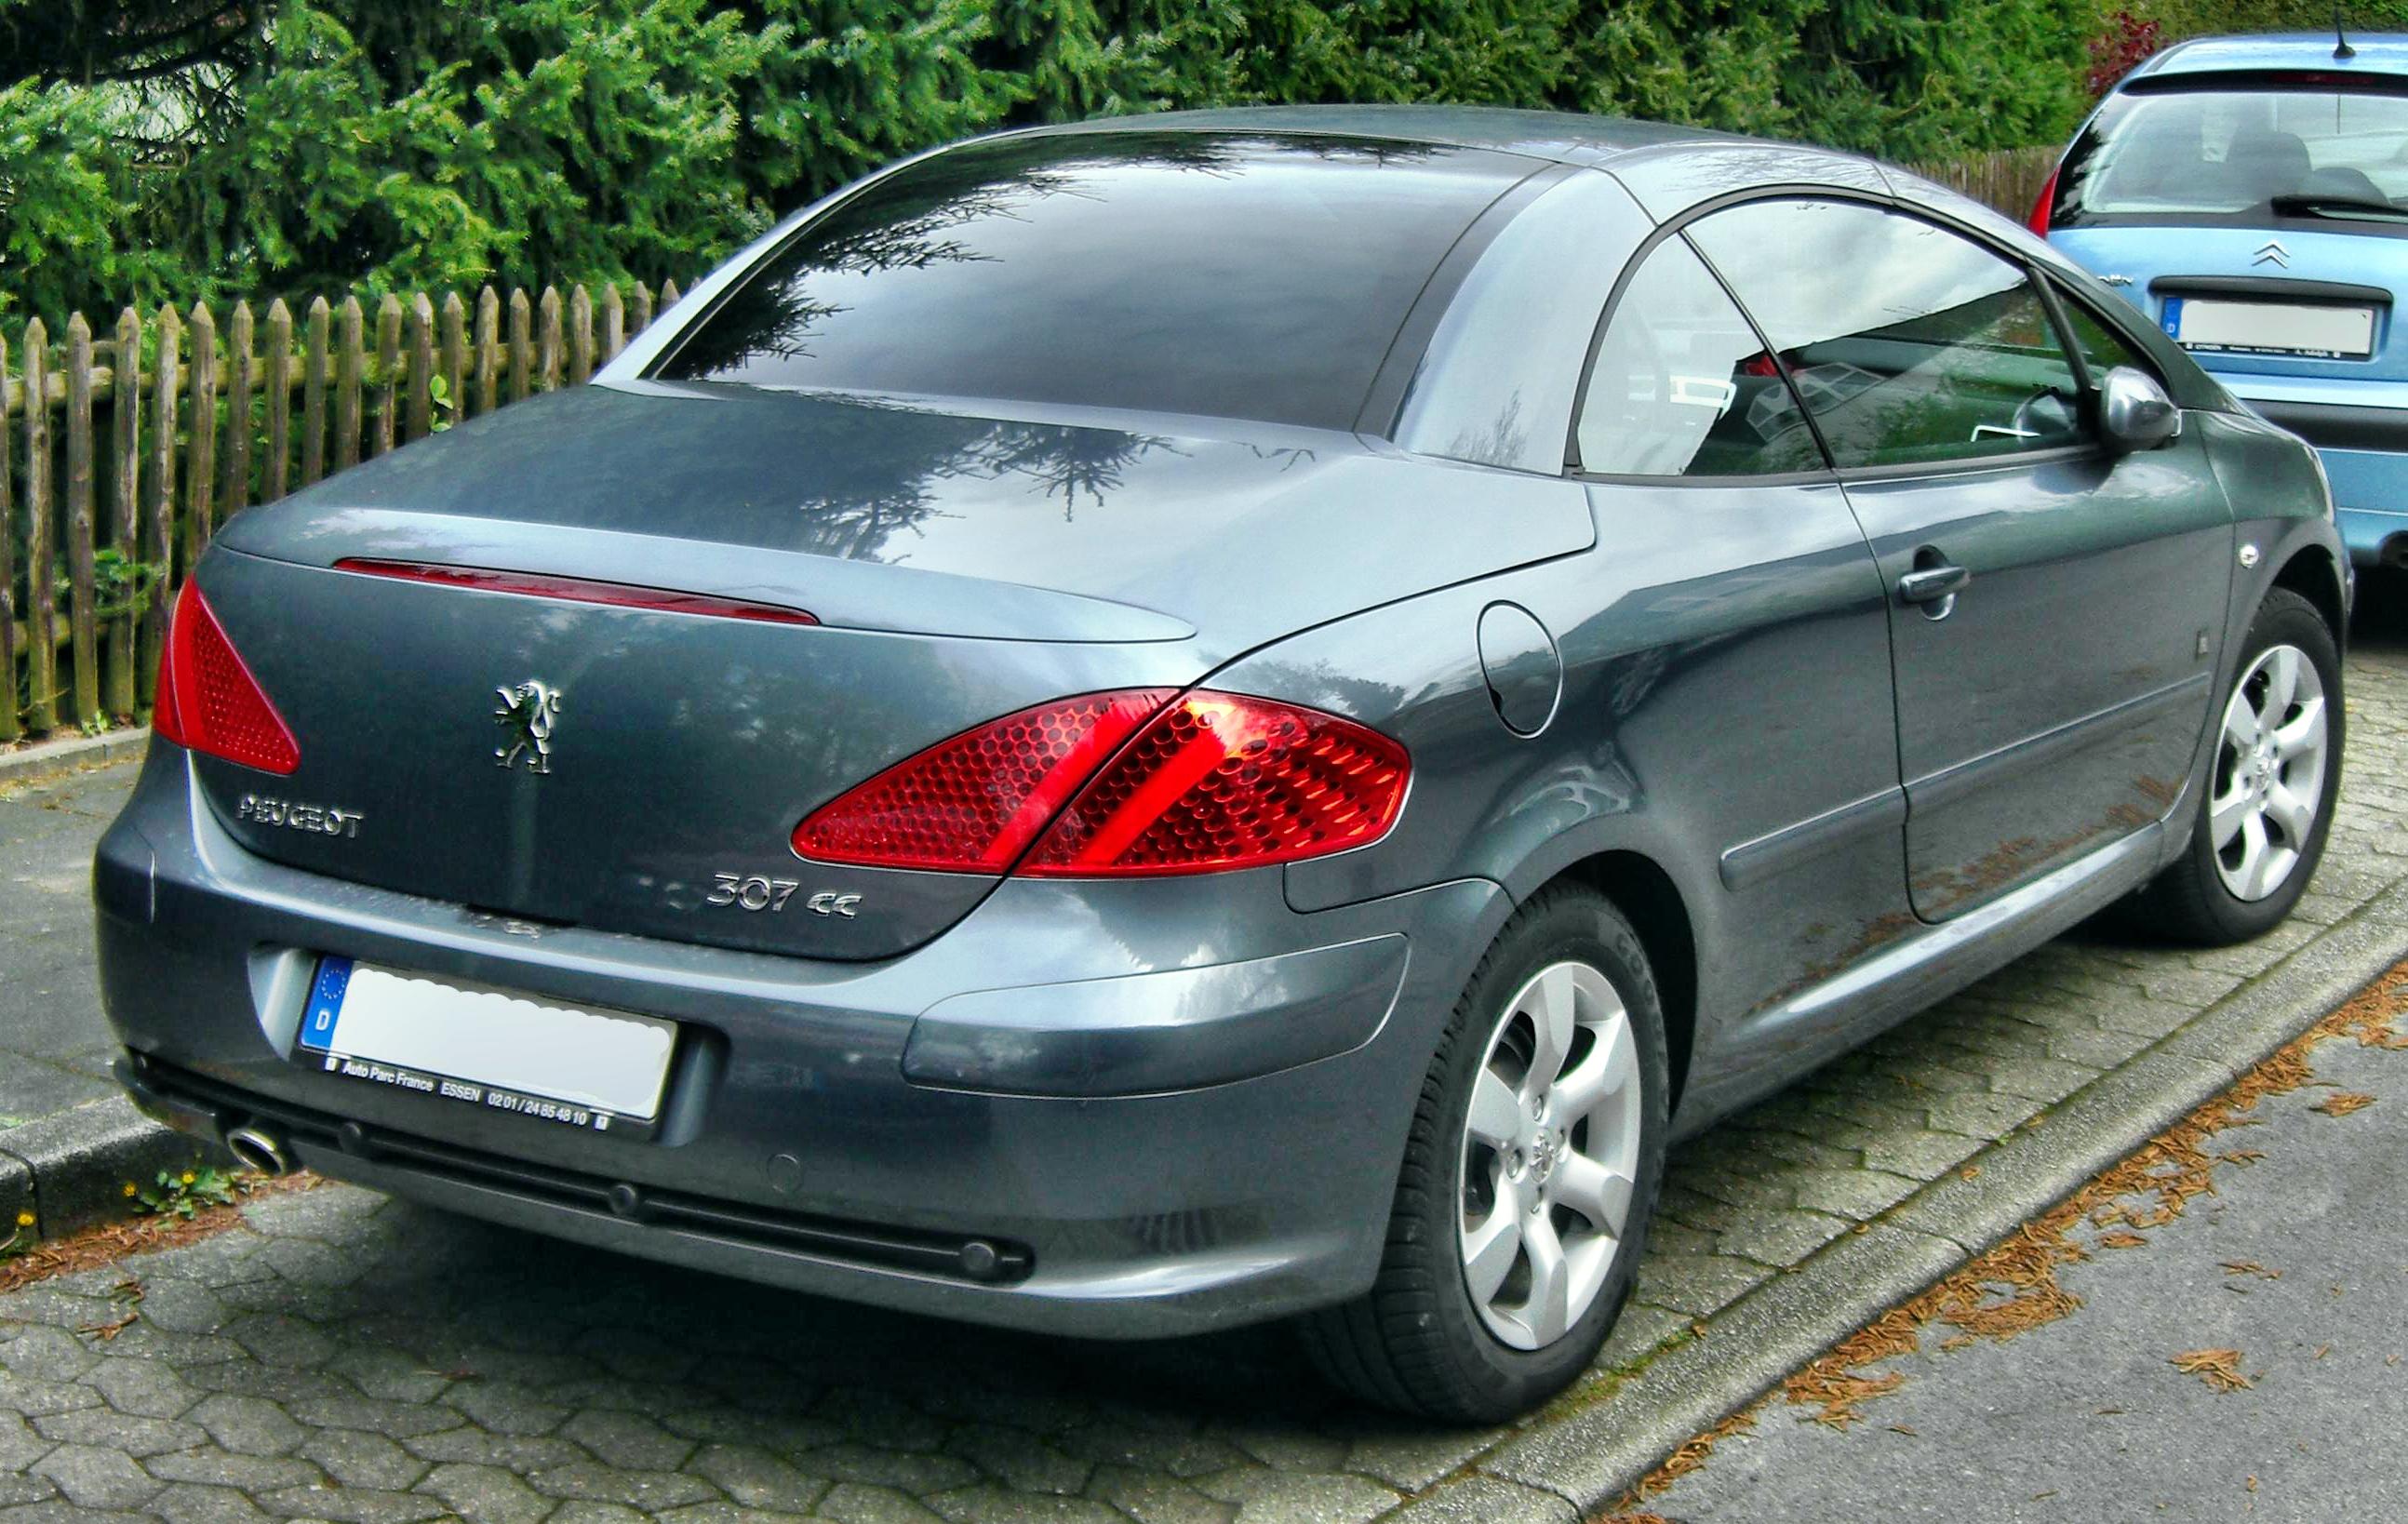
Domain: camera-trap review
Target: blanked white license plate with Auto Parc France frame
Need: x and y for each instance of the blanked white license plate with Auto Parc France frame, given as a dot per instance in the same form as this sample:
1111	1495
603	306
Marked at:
488	1049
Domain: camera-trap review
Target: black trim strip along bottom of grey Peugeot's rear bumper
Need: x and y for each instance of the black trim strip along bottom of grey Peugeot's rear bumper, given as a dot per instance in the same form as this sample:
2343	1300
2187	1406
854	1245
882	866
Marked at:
201	1104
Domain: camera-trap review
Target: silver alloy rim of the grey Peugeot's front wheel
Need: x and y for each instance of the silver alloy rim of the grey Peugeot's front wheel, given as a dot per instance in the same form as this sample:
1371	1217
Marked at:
2270	774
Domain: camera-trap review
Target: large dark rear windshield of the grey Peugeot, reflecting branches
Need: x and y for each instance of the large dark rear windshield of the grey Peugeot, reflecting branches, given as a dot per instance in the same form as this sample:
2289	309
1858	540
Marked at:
1229	276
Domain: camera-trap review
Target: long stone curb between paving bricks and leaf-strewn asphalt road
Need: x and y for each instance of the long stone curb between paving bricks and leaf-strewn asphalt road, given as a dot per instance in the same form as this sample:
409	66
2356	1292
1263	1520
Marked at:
1571	1465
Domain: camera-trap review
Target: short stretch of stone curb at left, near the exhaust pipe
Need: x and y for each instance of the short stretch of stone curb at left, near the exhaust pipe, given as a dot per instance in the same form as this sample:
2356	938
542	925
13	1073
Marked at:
71	1169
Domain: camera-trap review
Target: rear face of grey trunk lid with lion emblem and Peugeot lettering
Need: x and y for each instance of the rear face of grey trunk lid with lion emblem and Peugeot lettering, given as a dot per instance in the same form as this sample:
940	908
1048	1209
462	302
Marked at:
630	769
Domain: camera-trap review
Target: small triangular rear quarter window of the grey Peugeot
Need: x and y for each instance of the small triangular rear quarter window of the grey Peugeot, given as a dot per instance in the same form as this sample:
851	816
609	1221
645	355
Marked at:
1684	389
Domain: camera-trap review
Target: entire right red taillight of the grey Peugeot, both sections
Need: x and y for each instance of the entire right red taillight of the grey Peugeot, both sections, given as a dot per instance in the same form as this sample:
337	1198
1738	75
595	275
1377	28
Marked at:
1210	781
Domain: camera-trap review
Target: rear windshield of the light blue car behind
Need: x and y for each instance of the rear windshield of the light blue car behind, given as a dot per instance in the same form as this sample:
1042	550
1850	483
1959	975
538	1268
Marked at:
2243	155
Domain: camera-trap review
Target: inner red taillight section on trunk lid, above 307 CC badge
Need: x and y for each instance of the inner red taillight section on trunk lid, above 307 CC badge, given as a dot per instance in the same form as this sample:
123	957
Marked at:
972	805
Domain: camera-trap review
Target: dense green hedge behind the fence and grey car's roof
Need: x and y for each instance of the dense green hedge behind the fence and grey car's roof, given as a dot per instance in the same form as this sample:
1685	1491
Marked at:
336	146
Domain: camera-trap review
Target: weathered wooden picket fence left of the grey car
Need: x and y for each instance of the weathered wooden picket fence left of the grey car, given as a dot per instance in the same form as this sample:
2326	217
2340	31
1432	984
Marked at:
122	454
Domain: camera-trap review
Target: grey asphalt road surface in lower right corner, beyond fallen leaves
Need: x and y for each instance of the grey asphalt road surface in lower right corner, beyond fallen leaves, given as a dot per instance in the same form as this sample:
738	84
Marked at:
2296	1263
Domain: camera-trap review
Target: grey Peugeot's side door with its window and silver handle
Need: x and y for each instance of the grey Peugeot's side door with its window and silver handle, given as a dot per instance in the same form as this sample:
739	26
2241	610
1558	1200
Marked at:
2055	606
